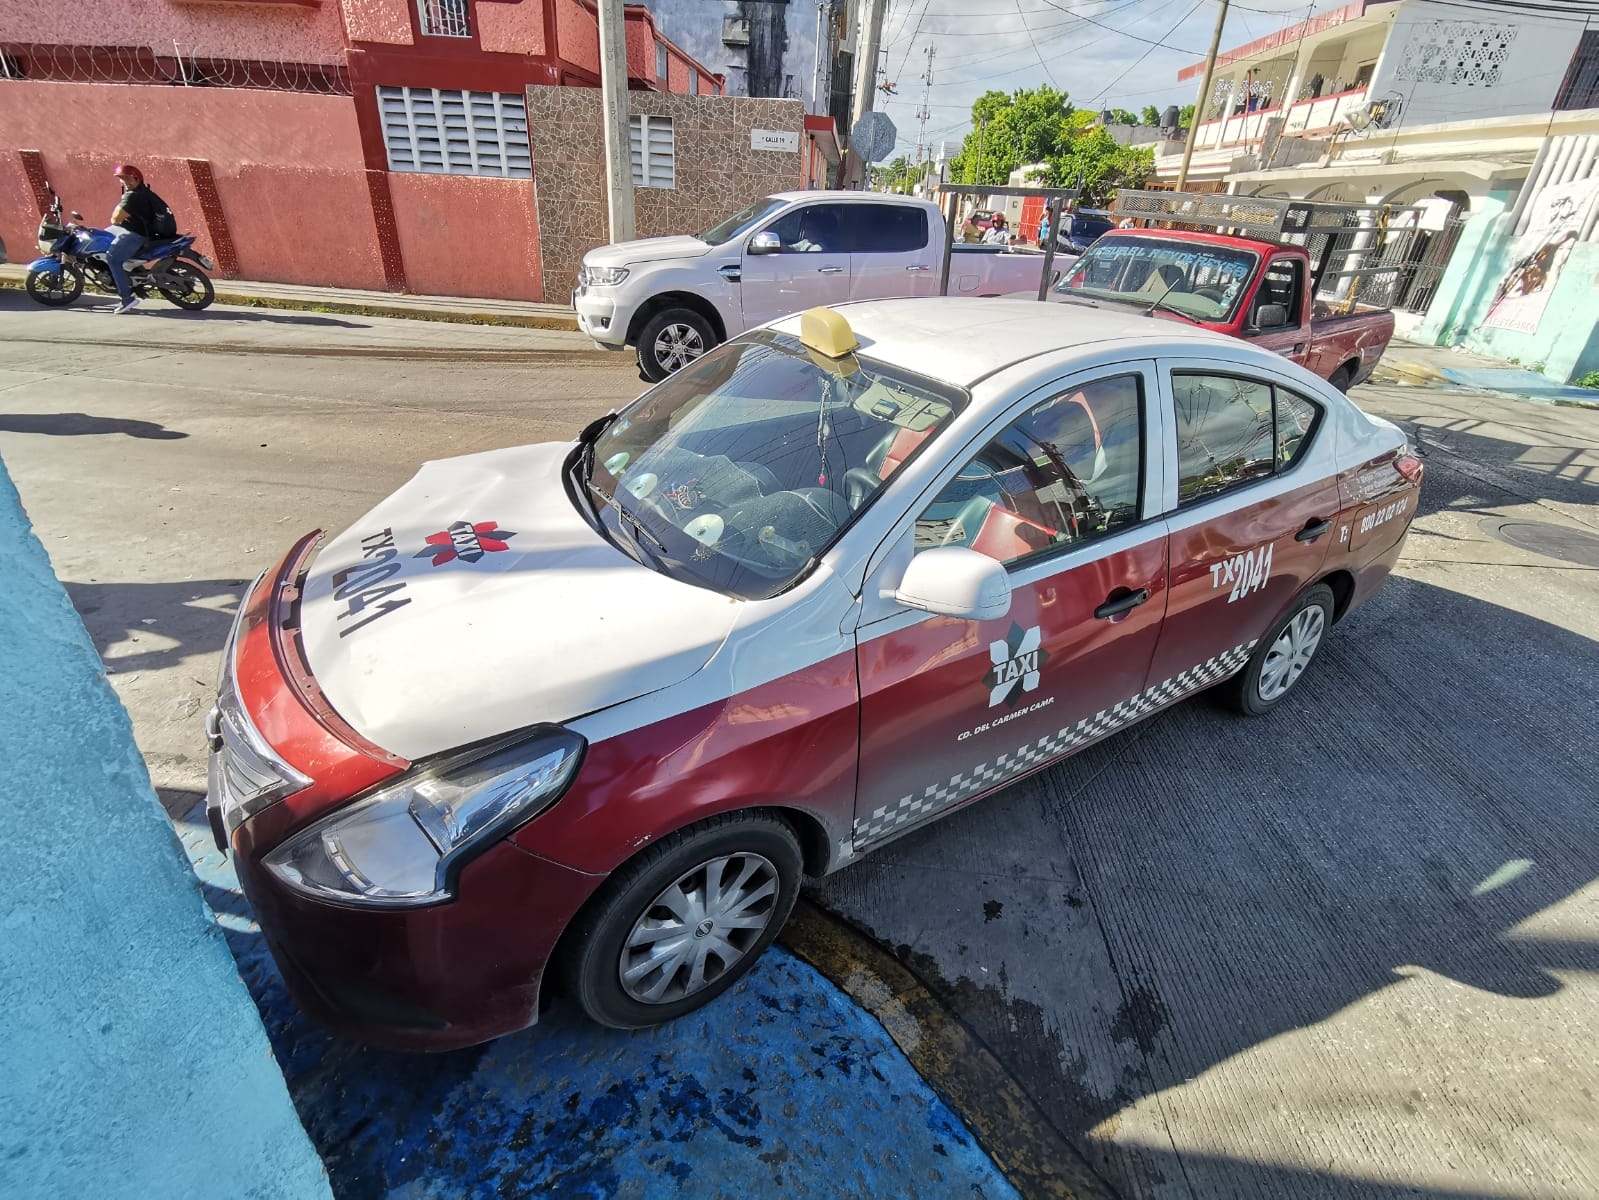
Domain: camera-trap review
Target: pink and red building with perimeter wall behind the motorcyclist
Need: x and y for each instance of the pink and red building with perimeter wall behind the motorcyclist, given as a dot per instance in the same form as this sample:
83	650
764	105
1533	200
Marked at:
357	143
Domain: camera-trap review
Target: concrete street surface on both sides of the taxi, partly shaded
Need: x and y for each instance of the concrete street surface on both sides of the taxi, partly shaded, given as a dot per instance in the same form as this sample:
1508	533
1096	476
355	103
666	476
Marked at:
1342	951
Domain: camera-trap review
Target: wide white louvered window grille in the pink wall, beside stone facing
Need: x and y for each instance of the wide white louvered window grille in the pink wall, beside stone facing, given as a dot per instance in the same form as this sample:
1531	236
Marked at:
457	132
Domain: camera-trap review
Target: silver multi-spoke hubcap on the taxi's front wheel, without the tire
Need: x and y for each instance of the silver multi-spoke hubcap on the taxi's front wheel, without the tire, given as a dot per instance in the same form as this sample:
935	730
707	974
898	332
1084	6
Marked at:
700	929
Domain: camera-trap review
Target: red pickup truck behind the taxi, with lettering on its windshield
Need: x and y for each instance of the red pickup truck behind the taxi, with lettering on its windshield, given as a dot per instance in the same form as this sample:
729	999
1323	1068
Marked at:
1243	287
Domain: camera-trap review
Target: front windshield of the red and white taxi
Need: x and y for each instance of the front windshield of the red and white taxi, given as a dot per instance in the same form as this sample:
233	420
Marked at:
740	471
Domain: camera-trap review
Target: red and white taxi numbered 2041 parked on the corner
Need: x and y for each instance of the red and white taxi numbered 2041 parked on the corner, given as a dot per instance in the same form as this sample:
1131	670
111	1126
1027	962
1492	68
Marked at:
597	708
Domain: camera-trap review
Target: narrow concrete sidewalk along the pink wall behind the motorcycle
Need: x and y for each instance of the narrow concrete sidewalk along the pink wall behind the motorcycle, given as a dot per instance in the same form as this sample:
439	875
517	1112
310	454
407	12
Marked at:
460	310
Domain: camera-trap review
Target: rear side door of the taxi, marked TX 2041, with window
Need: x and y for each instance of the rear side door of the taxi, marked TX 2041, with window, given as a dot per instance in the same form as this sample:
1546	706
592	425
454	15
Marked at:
1254	498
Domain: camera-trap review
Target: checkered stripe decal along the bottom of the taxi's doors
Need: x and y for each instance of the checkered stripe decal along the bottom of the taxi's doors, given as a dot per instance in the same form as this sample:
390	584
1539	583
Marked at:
1013	764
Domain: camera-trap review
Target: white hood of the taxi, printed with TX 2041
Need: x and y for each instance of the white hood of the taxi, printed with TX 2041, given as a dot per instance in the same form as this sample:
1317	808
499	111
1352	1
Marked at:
477	601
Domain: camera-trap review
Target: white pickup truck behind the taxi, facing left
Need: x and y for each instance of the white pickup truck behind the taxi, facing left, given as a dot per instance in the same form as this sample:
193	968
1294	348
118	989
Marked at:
674	298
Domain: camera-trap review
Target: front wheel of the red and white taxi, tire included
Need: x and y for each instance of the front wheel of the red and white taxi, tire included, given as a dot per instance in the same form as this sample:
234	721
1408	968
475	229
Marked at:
680	924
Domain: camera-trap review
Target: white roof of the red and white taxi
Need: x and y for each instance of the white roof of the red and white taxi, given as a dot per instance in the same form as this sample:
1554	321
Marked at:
962	340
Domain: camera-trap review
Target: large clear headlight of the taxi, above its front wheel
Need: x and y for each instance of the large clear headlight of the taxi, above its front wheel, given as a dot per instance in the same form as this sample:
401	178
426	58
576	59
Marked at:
404	844
